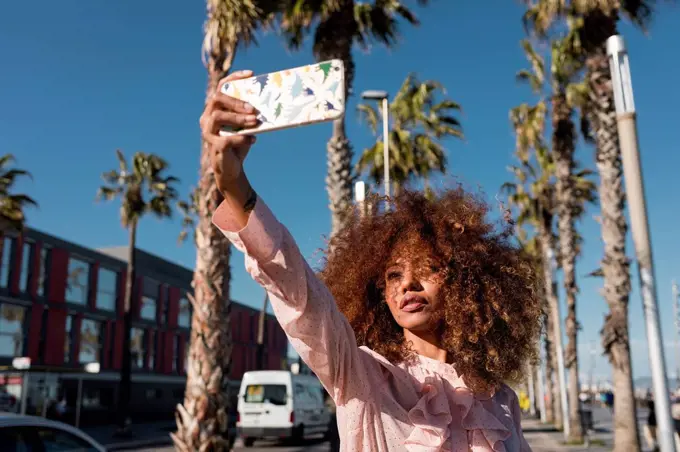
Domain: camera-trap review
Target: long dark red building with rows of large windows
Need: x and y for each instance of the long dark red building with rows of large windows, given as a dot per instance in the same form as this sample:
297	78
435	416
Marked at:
61	305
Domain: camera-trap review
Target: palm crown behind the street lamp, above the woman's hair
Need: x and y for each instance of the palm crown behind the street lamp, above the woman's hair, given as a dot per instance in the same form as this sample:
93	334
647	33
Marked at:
419	123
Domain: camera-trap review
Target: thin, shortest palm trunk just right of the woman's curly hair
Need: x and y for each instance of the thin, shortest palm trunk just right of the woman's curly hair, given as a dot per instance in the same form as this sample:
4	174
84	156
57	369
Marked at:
547	252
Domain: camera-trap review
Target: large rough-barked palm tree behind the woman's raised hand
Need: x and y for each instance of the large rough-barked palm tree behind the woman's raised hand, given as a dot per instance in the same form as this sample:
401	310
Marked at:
202	419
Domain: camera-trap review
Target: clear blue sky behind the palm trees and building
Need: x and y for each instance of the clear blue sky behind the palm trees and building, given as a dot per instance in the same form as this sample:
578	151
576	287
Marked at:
81	79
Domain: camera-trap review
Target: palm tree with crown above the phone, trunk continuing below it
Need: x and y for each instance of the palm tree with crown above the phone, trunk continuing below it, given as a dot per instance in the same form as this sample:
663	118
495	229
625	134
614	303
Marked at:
339	25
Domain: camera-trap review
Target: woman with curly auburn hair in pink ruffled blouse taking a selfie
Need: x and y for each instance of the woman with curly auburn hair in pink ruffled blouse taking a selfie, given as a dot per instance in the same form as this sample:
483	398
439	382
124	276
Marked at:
424	313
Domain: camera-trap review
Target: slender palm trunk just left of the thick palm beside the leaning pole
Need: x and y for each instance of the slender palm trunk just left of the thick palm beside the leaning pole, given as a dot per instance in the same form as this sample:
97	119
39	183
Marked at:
563	149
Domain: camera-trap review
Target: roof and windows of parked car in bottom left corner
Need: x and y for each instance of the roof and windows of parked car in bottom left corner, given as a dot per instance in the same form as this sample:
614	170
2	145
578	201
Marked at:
32	433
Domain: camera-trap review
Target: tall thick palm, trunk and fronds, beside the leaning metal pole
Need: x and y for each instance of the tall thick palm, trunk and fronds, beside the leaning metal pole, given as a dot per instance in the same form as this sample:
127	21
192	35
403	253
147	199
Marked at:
600	19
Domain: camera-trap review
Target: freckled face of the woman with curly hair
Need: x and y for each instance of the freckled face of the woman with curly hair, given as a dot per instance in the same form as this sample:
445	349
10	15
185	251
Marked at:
412	292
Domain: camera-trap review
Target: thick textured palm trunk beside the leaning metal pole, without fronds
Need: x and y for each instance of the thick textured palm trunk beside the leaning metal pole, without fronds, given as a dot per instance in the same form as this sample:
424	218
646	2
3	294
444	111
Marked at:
615	339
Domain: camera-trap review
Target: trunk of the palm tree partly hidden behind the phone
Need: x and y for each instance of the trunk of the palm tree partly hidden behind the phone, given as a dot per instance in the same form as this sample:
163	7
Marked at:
339	30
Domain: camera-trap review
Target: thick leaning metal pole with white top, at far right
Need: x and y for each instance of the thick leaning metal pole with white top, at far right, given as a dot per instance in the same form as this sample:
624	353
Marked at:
637	207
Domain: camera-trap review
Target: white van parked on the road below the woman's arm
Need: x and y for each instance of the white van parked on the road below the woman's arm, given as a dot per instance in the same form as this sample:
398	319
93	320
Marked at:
280	404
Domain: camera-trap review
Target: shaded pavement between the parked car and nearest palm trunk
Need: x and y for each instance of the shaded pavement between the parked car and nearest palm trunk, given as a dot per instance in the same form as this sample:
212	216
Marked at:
142	435
